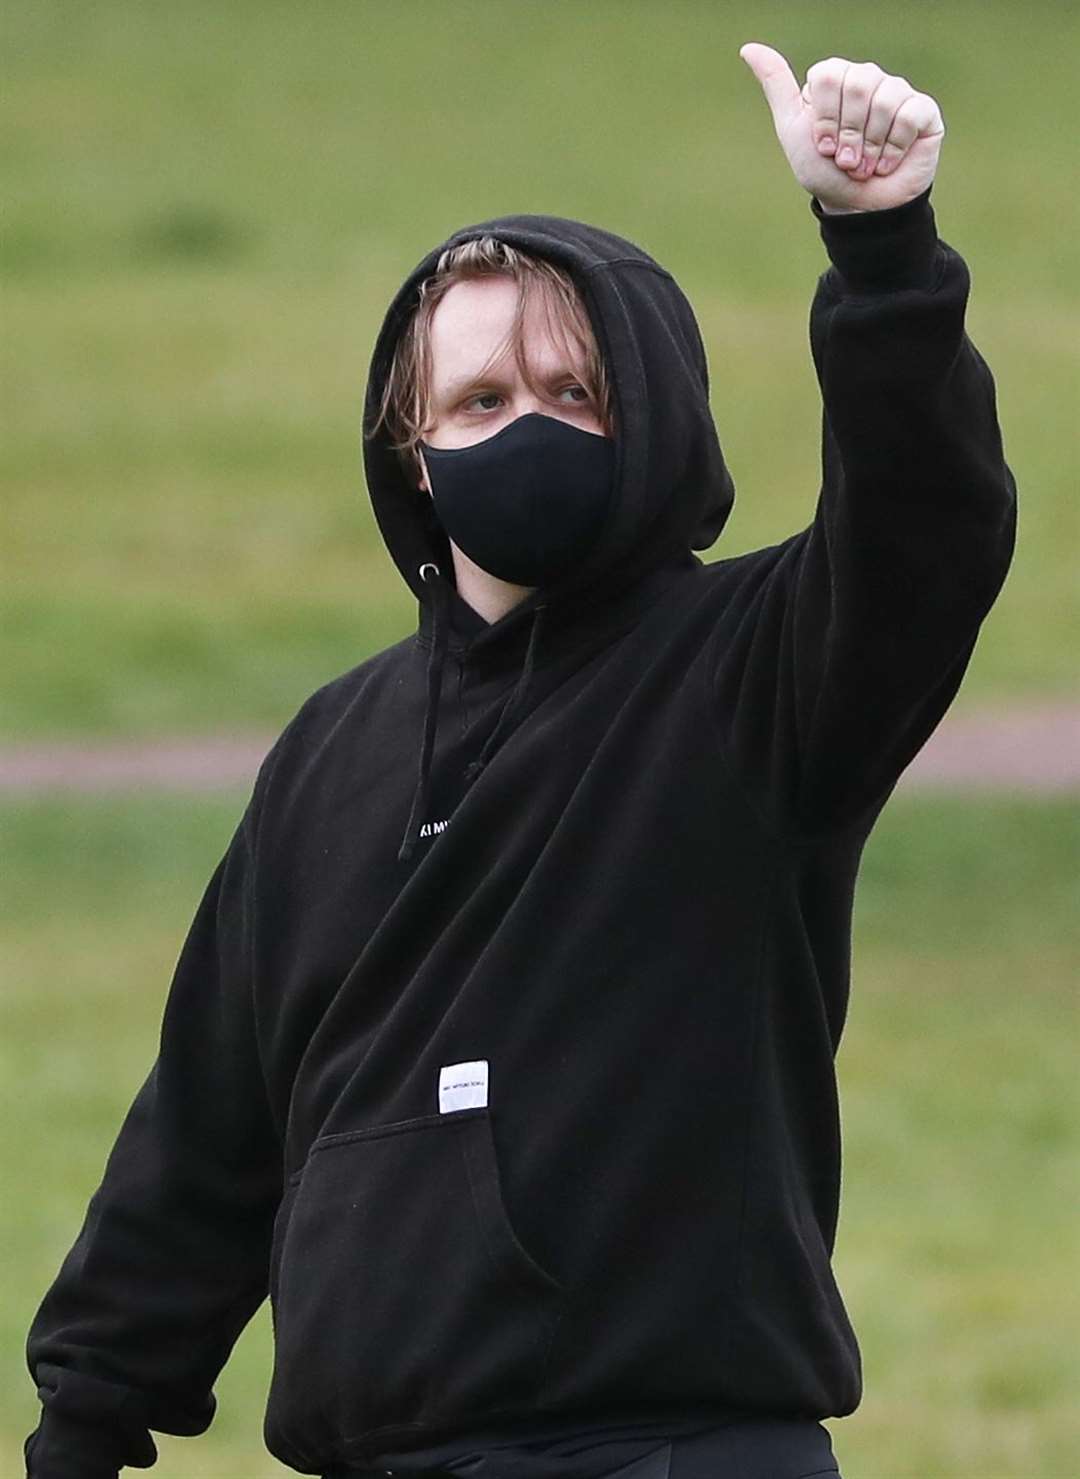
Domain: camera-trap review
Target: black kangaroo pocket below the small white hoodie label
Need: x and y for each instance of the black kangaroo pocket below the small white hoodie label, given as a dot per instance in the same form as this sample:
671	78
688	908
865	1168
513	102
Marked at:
402	1292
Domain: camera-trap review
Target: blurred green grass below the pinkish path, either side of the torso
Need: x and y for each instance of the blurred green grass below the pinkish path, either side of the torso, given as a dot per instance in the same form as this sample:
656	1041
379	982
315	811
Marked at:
958	1246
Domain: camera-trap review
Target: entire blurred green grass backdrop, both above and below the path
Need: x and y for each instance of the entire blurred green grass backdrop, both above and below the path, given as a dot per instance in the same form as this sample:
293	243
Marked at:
208	209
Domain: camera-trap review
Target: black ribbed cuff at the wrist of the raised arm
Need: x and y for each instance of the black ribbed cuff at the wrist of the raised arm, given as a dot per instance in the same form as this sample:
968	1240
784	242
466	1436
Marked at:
881	251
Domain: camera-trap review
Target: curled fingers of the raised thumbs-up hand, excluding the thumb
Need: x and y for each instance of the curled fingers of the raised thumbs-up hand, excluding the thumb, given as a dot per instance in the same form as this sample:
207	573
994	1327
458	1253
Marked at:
865	118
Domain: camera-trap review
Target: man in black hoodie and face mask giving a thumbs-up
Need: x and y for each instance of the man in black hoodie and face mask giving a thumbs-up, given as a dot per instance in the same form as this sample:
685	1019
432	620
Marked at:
501	1051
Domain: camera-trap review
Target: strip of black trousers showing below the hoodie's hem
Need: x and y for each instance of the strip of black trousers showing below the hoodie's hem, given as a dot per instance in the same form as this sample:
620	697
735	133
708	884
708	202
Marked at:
739	1452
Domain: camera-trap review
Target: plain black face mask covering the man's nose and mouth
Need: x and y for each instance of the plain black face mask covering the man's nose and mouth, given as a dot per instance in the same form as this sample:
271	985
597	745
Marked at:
527	504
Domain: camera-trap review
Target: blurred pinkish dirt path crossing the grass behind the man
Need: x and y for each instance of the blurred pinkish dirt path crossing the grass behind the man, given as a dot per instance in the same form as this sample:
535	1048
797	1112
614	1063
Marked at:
1033	749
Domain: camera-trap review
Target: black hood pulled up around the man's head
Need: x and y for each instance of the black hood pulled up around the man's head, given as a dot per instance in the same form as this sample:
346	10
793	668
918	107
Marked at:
672	489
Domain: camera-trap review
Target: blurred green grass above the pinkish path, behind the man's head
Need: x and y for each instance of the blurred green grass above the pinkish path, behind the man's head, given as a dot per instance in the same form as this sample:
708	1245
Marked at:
209	208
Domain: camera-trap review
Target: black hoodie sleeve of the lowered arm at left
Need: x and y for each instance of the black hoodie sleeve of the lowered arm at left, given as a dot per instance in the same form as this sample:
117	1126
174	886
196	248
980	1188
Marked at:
172	1259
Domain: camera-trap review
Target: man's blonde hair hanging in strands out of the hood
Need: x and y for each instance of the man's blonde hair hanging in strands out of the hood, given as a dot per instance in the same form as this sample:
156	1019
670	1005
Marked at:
406	402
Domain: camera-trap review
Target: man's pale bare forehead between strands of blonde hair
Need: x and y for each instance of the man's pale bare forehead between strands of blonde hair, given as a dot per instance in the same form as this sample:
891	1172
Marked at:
474	322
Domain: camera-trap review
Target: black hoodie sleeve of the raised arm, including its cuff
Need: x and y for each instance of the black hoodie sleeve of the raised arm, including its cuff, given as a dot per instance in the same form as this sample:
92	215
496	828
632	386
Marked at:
851	649
